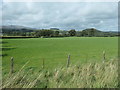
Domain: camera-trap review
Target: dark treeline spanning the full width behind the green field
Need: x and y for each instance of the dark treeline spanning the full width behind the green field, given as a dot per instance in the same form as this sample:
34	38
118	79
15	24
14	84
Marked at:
91	32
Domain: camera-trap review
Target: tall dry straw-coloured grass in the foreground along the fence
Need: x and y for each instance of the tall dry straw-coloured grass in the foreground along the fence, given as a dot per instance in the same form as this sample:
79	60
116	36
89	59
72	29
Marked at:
90	75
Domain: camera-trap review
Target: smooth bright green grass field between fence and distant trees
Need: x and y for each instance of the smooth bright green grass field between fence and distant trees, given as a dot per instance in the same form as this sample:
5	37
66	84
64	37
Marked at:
55	50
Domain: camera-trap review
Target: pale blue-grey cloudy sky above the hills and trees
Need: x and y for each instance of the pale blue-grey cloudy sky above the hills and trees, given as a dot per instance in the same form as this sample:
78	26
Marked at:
63	15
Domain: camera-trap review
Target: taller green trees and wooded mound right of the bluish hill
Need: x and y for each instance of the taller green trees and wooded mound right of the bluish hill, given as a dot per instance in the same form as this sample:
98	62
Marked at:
84	33
